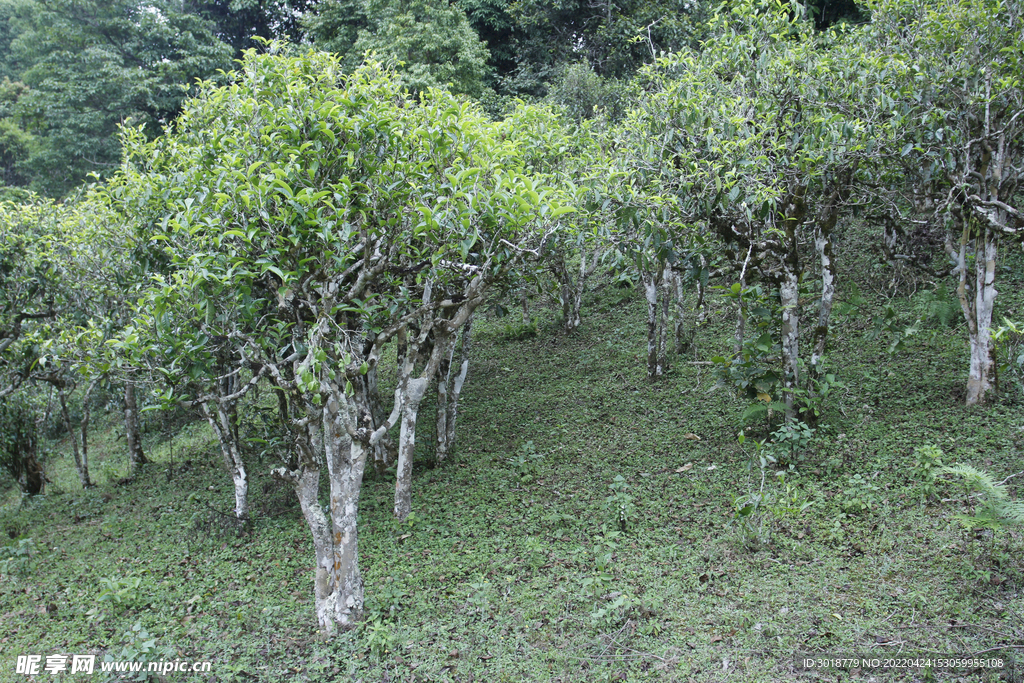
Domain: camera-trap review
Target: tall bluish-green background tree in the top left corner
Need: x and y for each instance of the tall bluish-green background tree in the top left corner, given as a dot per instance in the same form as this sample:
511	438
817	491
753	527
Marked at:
92	66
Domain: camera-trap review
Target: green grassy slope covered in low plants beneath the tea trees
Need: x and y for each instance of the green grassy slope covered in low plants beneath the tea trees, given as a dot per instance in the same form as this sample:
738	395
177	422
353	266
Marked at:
488	581
